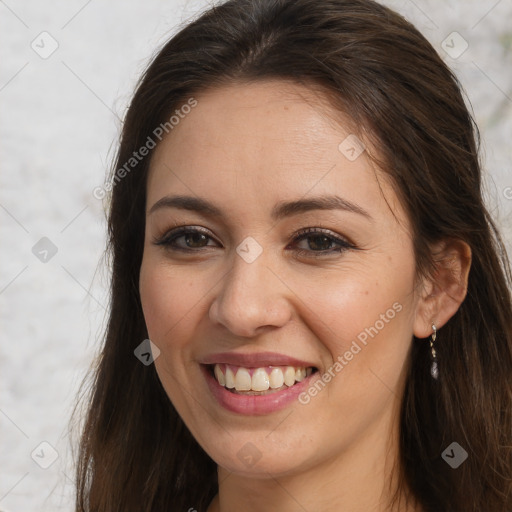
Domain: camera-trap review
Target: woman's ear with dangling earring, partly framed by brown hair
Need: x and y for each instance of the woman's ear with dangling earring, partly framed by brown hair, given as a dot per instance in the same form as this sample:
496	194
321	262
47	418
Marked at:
442	294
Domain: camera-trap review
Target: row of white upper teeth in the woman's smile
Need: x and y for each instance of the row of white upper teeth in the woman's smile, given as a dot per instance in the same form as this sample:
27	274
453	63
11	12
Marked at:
262	378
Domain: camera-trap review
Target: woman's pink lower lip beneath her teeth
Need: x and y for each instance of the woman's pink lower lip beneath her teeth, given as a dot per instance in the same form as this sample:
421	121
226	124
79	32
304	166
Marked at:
254	405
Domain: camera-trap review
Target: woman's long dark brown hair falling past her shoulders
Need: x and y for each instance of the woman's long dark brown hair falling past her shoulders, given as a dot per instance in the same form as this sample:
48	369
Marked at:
135	453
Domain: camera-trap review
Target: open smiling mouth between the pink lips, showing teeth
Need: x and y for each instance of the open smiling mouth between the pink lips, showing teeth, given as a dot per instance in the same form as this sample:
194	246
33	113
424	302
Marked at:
258	381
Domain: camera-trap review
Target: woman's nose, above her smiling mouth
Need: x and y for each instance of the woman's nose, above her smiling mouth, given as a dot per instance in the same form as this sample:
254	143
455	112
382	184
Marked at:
252	297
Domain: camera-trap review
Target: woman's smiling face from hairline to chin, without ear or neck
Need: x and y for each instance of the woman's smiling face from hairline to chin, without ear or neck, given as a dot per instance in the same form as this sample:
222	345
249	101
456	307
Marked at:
298	266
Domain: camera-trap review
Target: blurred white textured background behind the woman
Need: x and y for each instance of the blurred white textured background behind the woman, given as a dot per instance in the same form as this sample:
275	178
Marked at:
60	121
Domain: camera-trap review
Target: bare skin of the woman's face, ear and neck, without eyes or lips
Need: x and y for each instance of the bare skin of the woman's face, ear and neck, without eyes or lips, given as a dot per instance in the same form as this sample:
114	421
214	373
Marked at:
246	148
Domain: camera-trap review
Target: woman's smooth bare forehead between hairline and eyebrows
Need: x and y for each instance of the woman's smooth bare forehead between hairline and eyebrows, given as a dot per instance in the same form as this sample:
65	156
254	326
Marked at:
267	141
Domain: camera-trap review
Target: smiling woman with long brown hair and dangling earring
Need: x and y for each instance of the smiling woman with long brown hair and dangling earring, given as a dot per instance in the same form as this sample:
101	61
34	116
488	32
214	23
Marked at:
297	225
